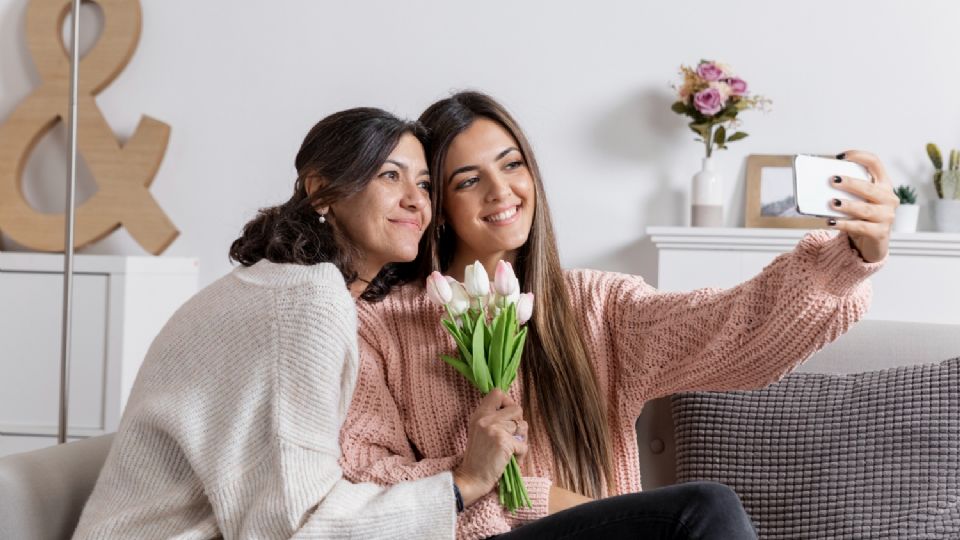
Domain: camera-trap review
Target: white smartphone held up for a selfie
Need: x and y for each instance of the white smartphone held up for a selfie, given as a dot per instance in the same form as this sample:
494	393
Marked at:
813	187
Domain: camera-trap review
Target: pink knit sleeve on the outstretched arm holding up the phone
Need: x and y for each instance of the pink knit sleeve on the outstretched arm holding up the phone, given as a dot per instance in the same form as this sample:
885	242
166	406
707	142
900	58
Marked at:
739	338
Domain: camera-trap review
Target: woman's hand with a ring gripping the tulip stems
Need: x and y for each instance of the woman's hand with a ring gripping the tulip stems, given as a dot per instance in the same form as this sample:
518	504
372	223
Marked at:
491	442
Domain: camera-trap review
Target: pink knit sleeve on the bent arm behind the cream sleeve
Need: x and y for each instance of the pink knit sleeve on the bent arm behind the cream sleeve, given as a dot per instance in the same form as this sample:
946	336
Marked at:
376	449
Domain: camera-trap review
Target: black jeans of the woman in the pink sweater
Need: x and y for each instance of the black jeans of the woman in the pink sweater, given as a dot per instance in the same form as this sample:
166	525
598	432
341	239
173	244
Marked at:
696	510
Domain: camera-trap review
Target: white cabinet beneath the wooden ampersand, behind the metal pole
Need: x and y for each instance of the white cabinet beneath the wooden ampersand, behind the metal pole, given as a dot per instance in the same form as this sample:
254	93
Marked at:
120	303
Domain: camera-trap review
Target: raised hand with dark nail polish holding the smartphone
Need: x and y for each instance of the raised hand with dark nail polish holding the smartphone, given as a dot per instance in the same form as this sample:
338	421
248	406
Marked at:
871	219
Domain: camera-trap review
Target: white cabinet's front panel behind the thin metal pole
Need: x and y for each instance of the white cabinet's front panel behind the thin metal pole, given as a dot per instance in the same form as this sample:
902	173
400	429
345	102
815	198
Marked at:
30	327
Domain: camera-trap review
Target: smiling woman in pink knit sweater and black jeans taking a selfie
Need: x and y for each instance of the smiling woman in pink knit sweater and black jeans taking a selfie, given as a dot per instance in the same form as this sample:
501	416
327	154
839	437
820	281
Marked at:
600	346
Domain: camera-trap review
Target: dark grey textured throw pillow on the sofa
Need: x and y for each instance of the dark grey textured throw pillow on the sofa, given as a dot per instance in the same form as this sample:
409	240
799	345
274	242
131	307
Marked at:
869	455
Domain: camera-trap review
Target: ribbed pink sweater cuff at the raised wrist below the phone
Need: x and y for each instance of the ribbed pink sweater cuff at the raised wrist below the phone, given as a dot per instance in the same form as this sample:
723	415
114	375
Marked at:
840	264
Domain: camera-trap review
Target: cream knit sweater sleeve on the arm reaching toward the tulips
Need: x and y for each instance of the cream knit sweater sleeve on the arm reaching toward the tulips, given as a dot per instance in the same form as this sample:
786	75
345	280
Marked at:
296	489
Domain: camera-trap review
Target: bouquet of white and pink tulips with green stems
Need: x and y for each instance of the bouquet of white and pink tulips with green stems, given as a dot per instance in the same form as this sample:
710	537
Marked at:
485	320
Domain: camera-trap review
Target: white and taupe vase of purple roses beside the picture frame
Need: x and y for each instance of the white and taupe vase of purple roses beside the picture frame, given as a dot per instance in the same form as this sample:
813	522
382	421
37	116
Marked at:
712	96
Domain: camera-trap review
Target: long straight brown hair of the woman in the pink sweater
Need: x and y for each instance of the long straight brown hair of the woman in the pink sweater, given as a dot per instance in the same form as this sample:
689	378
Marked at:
555	355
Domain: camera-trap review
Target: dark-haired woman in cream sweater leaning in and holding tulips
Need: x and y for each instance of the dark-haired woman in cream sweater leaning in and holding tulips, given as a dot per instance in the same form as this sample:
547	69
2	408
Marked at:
231	428
